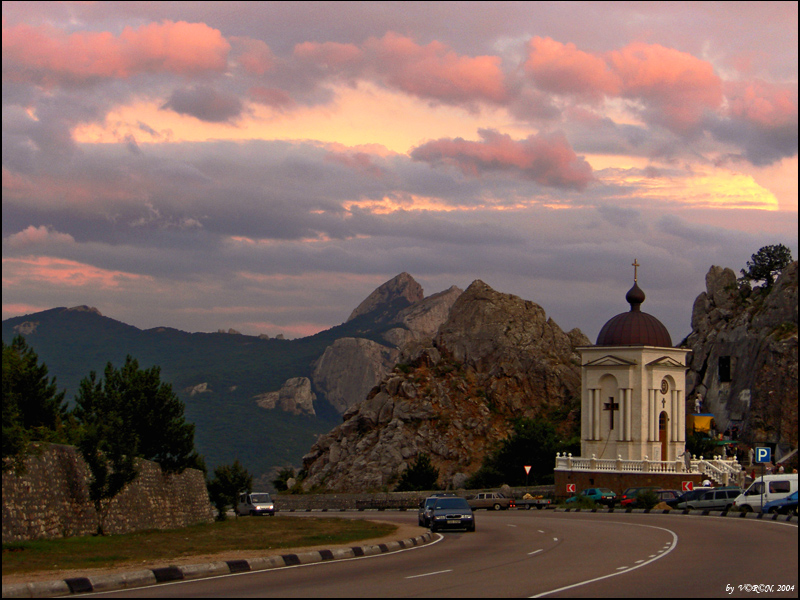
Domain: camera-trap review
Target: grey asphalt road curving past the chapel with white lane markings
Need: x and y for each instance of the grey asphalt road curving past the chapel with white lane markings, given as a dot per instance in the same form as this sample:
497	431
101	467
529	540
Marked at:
530	553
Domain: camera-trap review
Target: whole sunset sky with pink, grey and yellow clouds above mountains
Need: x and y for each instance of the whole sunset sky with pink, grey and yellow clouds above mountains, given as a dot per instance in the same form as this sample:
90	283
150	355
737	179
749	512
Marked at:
264	166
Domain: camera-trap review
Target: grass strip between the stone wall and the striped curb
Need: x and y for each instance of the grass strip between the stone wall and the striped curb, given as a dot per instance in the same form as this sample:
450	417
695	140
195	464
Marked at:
246	533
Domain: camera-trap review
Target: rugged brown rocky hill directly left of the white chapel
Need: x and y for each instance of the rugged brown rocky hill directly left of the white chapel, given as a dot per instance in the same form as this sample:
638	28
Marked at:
497	357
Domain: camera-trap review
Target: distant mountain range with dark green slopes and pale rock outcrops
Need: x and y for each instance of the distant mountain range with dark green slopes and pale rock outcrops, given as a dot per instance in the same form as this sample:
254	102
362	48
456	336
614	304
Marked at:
263	401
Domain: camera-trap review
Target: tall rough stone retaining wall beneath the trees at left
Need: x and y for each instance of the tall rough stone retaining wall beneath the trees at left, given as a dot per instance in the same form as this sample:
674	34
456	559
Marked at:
51	499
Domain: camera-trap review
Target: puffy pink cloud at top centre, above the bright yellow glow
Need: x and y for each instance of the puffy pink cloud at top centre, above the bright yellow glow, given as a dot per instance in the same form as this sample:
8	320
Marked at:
435	72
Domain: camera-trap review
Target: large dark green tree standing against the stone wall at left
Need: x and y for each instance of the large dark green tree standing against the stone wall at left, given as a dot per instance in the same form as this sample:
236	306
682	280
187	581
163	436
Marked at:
130	413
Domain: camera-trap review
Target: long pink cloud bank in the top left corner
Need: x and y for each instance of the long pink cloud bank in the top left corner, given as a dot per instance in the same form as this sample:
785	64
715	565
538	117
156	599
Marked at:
48	56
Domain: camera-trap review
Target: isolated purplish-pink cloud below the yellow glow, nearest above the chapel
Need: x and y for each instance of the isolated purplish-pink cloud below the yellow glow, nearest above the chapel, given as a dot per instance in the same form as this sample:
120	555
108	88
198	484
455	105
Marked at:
546	159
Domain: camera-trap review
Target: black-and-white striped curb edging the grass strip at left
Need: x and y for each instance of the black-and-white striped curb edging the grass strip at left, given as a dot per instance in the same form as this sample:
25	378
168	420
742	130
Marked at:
121	581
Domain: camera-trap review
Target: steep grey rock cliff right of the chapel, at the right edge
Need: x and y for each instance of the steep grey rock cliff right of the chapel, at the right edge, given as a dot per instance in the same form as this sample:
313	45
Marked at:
744	356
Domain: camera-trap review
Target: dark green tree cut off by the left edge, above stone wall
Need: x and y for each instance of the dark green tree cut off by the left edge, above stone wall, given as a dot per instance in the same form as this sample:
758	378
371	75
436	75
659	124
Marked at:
33	408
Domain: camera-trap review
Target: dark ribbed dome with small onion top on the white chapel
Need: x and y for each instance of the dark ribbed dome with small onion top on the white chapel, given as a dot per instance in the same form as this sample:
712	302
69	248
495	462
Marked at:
634	328
